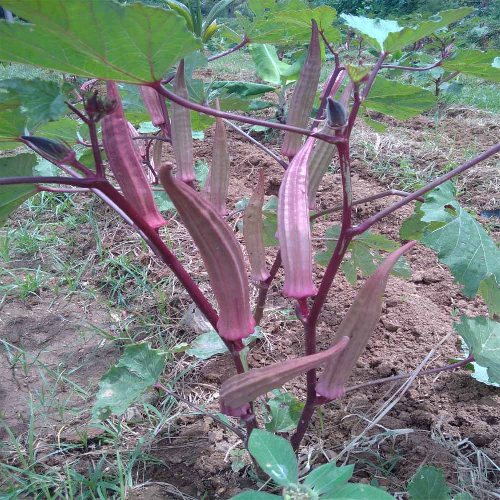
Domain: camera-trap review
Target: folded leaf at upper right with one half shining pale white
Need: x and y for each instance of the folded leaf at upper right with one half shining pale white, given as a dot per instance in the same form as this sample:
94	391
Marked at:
389	36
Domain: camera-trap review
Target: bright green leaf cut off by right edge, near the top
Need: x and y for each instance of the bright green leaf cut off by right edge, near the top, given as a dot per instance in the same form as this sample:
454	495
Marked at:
475	63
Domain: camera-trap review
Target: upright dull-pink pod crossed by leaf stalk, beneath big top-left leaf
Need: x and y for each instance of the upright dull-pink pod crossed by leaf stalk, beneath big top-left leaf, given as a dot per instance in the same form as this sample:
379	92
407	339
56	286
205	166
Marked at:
182	139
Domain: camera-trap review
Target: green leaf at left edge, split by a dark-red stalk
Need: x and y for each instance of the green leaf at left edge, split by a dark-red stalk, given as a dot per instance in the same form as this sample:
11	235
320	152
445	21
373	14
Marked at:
12	196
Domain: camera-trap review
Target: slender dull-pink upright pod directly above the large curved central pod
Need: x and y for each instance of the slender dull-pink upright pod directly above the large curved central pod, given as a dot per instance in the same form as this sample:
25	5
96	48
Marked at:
219	173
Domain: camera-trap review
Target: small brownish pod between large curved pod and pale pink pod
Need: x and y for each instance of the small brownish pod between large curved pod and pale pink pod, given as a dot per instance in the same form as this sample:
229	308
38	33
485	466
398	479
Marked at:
252	232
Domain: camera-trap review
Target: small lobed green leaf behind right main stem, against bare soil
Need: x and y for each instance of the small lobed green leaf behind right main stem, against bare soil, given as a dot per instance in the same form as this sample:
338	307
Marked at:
363	255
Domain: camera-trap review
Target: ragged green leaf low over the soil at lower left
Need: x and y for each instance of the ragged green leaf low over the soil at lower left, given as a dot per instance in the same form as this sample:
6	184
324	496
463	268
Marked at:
138	369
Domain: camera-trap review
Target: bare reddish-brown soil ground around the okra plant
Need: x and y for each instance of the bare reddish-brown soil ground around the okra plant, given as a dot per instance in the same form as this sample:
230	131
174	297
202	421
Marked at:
447	420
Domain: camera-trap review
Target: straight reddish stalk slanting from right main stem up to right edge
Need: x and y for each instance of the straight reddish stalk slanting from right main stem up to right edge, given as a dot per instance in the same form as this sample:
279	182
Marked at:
361	228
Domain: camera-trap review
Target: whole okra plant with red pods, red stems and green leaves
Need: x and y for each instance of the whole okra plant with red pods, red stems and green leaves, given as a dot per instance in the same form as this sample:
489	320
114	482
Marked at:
153	52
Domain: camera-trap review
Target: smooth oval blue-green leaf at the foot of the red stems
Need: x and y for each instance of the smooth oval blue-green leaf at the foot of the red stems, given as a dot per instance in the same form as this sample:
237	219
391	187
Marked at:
275	455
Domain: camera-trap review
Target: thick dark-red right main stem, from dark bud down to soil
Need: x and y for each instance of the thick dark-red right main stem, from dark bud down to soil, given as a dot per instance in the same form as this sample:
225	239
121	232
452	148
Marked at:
326	283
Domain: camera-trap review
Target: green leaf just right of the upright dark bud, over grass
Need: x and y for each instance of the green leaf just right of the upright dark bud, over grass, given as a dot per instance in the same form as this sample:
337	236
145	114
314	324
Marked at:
398	100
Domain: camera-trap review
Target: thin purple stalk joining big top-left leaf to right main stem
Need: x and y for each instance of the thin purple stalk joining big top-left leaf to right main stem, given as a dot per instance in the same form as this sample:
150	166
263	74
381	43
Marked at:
240	118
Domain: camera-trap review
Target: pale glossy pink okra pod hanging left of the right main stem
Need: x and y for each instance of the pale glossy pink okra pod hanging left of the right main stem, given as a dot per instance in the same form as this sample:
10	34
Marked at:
294	230
